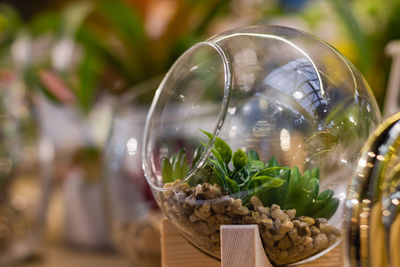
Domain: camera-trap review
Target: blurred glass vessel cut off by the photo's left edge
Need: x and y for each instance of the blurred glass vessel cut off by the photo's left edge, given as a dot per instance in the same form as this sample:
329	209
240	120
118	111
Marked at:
24	184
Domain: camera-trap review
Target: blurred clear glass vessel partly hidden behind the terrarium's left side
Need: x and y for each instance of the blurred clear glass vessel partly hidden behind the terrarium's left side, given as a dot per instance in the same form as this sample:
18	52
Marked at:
133	212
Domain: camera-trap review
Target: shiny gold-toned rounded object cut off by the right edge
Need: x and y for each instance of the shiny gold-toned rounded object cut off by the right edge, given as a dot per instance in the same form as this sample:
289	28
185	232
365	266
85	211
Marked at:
373	221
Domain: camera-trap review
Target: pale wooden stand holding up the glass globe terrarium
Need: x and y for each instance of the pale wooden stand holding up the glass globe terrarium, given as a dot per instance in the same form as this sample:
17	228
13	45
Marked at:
240	247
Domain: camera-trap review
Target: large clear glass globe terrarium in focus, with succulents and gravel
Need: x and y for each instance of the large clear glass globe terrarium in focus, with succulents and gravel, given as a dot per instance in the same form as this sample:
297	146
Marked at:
259	125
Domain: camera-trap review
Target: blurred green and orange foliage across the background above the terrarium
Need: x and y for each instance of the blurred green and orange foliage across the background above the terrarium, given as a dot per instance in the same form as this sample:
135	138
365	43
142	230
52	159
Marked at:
114	45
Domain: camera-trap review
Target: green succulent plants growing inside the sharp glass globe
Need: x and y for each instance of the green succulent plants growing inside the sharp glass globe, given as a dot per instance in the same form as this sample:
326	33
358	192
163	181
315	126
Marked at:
271	183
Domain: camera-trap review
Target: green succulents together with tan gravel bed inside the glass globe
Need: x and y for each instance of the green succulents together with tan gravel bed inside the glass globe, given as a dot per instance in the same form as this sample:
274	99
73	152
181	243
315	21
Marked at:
291	213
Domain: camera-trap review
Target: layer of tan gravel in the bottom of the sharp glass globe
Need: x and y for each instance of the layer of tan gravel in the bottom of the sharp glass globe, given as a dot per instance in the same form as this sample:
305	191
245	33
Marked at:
199	211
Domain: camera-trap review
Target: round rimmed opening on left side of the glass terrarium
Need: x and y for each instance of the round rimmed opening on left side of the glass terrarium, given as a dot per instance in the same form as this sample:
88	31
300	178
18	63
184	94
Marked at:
196	88
